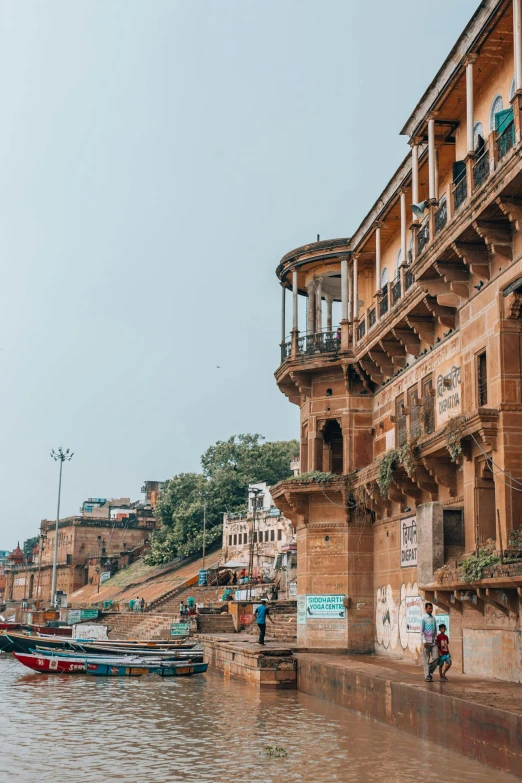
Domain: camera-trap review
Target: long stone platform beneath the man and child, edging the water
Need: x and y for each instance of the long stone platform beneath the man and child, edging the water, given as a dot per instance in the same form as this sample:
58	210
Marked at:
479	718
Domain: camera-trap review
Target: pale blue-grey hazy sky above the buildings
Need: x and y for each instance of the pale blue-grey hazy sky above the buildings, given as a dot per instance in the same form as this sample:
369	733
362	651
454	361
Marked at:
158	158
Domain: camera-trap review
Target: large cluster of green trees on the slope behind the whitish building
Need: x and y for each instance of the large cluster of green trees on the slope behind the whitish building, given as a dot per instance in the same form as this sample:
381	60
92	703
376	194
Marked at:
228	468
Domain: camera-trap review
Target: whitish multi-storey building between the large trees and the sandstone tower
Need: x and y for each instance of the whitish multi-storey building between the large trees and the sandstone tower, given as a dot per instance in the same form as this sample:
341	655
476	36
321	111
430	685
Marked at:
269	534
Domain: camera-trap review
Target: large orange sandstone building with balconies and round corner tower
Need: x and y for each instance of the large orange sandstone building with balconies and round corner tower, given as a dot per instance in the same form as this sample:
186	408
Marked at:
411	407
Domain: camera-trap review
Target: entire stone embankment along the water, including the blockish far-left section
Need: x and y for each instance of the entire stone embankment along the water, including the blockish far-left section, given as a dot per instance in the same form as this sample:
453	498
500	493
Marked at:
478	718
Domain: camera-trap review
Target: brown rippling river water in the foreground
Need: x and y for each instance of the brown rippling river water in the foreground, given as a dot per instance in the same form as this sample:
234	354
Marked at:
72	728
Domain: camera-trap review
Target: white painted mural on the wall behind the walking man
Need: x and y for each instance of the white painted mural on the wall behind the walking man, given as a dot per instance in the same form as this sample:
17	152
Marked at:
392	626
